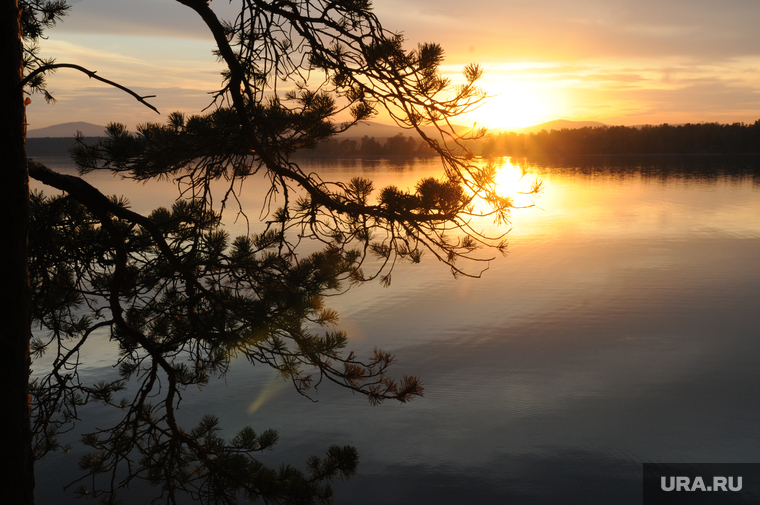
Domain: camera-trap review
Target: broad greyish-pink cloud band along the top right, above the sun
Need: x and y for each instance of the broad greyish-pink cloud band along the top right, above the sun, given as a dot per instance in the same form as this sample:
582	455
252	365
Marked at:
581	29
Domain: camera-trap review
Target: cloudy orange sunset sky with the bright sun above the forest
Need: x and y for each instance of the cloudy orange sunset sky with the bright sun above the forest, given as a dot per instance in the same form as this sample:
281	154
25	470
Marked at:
619	62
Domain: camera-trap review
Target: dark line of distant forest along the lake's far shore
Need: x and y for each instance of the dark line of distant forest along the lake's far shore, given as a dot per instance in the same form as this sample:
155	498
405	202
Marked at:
702	138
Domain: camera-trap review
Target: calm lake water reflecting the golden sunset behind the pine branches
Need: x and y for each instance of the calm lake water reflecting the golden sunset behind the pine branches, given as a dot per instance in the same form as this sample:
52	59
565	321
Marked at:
622	327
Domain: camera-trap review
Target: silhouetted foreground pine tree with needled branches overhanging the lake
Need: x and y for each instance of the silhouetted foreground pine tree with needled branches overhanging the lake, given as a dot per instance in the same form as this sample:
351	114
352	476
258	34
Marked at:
176	293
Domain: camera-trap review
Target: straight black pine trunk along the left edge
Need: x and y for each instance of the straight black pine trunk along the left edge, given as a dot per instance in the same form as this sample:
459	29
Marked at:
17	481
